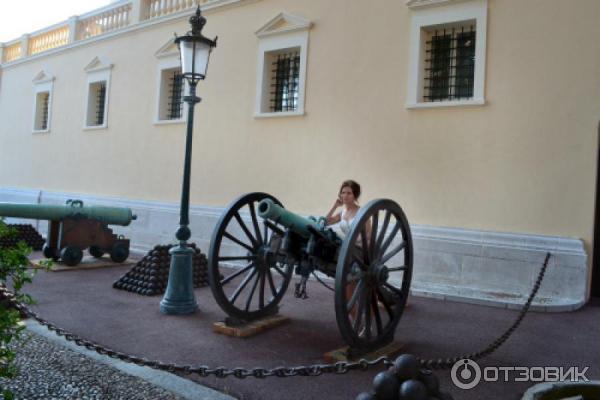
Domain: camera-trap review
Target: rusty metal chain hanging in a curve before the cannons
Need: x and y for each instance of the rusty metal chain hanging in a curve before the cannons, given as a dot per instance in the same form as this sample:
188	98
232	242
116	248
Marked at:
340	367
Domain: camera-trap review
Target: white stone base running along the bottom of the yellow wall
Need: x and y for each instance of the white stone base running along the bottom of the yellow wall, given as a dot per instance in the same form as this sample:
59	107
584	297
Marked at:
480	267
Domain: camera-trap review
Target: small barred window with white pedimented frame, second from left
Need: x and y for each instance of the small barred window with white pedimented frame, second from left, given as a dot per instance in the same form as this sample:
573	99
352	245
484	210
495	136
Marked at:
98	87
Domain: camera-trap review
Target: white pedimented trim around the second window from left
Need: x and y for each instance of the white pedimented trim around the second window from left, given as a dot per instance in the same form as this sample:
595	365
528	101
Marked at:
98	70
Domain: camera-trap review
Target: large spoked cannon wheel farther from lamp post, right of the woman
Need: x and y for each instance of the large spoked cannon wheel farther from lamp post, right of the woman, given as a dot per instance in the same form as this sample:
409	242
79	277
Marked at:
373	275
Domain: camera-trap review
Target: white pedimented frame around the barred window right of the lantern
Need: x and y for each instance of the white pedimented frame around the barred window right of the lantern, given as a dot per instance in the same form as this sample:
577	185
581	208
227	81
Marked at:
283	32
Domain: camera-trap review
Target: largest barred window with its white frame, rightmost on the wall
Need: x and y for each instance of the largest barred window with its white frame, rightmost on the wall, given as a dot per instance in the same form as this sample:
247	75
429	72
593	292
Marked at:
447	53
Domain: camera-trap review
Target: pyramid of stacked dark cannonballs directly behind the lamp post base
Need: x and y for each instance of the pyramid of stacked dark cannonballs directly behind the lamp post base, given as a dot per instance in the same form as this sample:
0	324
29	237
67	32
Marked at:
150	275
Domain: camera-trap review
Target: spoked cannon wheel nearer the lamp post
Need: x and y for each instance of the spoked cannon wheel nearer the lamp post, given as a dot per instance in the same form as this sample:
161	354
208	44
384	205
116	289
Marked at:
247	272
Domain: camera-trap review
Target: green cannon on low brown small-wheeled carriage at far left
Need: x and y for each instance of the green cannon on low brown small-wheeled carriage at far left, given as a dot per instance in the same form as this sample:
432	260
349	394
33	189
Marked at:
74	227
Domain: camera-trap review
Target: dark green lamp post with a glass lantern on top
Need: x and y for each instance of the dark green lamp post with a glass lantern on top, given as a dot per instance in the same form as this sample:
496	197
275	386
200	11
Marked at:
195	51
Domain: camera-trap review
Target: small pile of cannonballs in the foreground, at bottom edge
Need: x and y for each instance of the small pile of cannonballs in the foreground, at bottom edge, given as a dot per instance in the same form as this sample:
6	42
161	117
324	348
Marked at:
405	380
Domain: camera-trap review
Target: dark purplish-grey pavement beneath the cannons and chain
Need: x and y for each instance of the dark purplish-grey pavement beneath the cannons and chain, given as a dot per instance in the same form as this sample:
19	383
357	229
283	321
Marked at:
85	303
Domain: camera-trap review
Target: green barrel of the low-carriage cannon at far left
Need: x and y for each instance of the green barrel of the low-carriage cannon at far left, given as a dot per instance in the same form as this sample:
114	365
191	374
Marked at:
74	209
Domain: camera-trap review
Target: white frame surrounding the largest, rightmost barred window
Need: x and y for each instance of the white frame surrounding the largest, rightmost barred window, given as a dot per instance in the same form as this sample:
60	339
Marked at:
431	14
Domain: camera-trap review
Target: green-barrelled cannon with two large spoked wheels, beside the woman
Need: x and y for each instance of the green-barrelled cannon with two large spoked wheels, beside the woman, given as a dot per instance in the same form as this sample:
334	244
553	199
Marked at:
258	245
